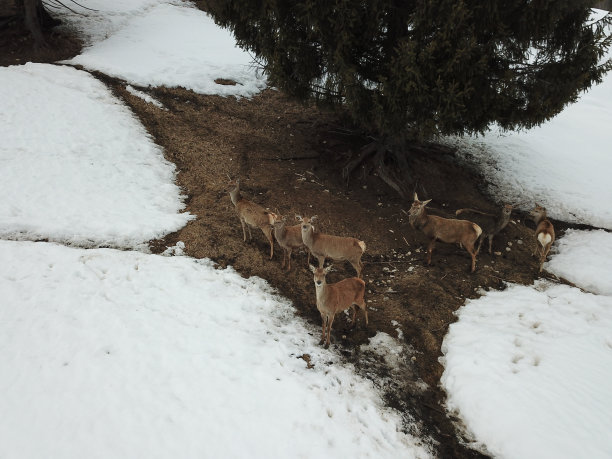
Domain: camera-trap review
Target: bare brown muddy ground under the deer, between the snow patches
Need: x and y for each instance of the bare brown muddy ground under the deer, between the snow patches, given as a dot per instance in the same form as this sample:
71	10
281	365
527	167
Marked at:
289	158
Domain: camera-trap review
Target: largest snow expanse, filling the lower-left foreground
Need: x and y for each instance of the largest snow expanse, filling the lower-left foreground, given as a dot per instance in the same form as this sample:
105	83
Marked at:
107	353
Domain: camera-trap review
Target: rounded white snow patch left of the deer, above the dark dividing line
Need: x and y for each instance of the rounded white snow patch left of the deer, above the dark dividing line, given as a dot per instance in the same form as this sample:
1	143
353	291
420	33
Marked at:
77	165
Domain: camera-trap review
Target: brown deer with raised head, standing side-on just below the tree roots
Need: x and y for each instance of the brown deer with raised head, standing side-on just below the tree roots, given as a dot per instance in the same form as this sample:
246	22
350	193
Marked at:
443	229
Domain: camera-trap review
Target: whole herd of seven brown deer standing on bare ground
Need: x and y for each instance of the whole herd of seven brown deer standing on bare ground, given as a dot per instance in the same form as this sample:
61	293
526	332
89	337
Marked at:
335	298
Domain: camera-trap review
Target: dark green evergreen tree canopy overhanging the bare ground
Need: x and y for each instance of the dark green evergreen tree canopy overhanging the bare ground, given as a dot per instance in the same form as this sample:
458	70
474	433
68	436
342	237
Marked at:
426	67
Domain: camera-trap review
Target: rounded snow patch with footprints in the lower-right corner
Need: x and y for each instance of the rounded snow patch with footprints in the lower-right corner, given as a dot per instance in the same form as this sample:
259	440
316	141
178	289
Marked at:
528	370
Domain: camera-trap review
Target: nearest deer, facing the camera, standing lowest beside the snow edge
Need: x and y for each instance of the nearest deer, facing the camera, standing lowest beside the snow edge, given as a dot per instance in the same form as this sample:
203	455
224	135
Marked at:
335	298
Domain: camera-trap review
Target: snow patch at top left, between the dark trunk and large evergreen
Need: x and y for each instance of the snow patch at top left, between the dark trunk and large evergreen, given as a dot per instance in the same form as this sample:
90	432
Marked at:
151	43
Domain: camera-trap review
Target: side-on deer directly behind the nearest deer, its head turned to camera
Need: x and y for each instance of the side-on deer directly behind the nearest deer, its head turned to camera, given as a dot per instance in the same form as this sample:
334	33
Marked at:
337	248
